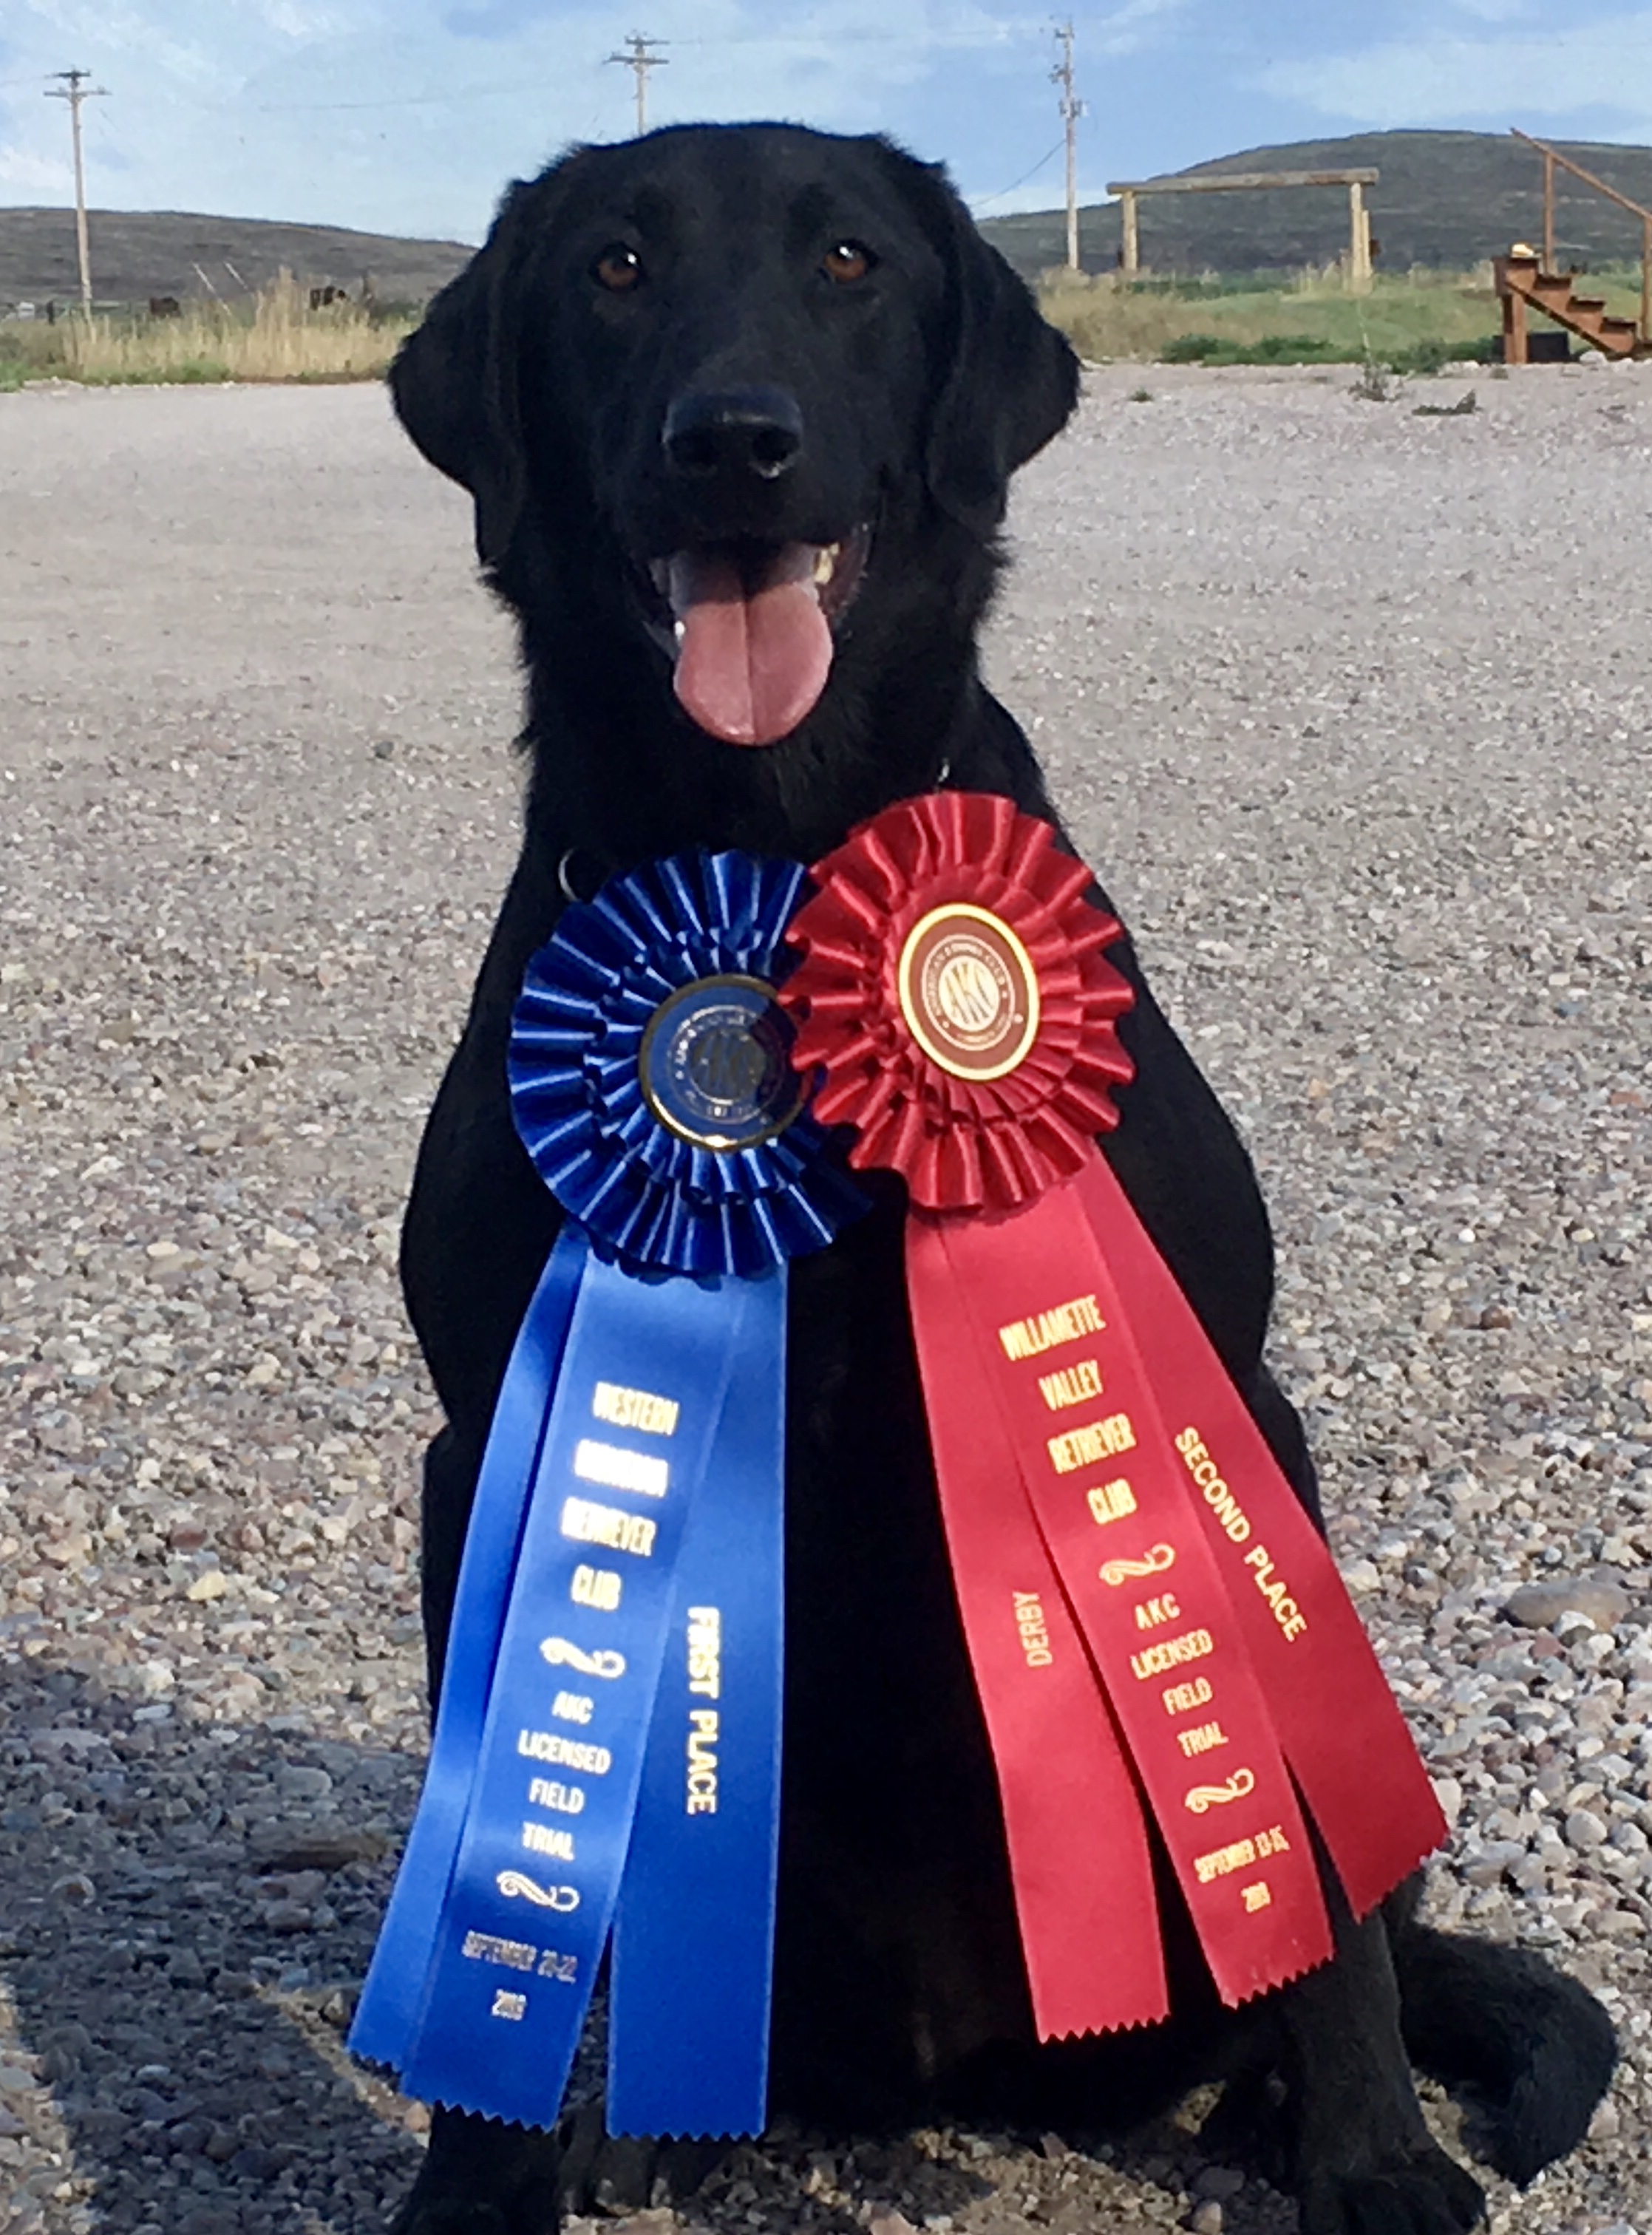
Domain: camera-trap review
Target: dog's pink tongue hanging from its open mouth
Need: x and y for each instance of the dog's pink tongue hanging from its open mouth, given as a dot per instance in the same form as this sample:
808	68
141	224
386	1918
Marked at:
752	663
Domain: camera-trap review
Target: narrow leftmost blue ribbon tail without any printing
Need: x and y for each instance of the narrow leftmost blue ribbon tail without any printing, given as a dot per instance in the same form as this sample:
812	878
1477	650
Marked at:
392	2001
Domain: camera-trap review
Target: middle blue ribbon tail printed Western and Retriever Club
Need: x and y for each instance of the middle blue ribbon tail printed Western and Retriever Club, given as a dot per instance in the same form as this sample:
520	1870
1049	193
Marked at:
640	1394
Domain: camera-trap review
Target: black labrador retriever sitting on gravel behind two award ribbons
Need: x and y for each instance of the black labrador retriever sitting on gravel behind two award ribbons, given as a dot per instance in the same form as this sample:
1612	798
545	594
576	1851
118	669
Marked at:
739	410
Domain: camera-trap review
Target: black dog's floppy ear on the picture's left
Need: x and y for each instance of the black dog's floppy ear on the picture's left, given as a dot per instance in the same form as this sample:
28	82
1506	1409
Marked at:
457	379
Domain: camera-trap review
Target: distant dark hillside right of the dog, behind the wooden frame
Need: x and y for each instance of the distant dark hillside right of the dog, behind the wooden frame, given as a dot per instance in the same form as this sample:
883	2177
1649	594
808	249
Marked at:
1445	200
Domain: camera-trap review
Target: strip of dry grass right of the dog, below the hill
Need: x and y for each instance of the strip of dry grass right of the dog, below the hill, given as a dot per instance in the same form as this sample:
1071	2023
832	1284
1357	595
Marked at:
1409	323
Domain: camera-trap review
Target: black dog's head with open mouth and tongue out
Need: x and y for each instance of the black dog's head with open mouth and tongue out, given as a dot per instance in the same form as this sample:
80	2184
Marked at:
725	388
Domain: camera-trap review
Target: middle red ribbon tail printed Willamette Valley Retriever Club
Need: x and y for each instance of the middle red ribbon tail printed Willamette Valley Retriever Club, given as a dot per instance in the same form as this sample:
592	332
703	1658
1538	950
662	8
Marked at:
1056	1349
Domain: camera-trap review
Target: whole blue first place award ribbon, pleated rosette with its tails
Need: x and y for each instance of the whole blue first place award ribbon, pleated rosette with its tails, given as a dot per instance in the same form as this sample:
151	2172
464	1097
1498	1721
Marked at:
607	1756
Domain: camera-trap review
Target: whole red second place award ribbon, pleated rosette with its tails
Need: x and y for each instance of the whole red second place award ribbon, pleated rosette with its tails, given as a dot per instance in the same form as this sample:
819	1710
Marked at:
1155	1624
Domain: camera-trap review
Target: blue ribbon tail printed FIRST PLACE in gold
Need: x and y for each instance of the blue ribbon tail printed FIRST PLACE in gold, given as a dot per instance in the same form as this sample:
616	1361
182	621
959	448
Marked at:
694	1937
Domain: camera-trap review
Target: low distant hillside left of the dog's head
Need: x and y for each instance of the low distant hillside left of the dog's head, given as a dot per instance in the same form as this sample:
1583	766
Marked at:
158	254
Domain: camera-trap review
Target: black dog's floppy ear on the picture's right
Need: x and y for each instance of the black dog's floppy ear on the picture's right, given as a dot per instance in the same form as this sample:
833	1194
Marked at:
1012	379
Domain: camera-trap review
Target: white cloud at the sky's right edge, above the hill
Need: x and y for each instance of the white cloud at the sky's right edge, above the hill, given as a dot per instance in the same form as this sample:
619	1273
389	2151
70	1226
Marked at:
1447	77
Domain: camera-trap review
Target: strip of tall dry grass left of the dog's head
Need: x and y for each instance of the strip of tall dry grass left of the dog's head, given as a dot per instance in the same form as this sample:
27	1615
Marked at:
281	339
